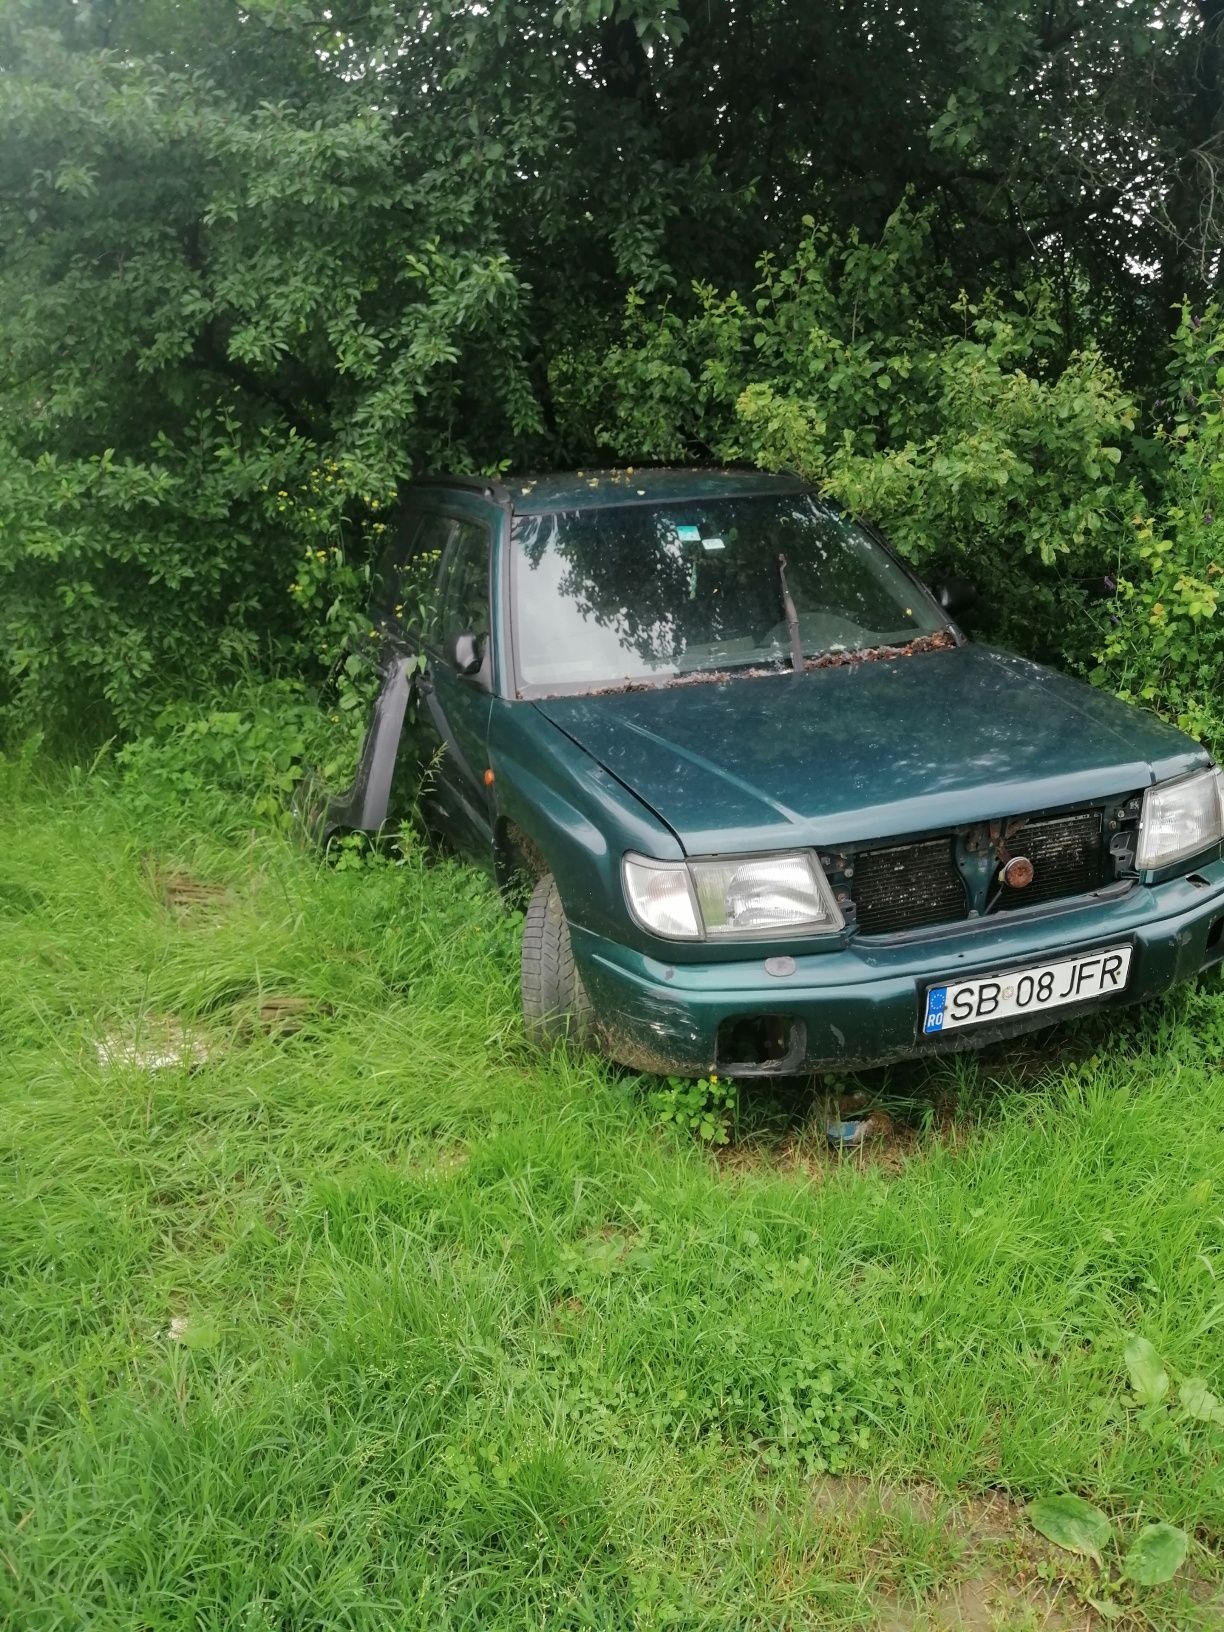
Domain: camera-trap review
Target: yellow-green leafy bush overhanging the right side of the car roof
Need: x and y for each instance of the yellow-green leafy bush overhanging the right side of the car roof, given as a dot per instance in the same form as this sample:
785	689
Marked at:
970	433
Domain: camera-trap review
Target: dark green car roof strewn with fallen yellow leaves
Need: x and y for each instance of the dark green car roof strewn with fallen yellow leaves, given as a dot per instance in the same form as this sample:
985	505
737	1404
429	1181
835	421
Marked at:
534	495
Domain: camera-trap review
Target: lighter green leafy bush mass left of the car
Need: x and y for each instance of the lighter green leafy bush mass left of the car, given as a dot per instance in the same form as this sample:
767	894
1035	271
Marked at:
218	368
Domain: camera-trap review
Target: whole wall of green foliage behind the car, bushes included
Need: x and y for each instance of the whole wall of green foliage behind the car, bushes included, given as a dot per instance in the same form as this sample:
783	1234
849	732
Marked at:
260	264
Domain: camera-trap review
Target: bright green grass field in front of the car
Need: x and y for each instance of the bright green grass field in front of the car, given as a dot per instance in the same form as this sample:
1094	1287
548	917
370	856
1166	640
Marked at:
361	1316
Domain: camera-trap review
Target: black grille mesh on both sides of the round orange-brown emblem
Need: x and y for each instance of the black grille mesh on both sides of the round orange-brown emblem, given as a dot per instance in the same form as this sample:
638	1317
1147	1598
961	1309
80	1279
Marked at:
918	885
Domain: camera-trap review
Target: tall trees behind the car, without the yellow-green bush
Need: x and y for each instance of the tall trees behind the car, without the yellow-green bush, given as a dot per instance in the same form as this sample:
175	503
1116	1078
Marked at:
259	264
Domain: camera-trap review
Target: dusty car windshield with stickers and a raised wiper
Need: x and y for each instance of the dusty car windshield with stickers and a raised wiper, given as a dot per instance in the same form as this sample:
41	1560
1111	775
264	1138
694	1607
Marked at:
608	596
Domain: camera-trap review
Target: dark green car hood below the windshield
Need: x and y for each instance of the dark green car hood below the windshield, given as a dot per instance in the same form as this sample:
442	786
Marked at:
871	750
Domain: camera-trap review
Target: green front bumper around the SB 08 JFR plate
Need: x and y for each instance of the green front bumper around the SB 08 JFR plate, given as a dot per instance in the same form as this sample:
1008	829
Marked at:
861	1006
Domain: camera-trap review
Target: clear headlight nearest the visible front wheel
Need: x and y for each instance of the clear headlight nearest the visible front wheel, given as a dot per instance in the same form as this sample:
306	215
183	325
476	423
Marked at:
734	897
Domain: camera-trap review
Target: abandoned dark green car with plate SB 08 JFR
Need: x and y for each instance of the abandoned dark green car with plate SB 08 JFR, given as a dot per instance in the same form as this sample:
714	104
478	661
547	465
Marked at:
776	812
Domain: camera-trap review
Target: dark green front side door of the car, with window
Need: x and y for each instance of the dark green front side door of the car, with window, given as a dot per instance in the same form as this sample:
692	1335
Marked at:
455	707
